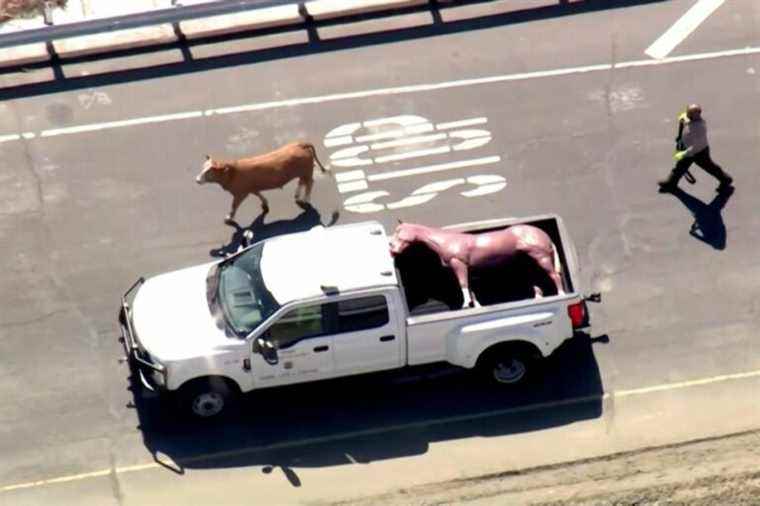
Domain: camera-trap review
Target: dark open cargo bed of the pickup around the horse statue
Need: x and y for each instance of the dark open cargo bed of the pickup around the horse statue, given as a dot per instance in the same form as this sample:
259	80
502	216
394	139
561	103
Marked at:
430	287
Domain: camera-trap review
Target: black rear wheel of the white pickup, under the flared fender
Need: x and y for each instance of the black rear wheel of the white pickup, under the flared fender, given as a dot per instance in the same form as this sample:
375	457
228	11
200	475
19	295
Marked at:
509	366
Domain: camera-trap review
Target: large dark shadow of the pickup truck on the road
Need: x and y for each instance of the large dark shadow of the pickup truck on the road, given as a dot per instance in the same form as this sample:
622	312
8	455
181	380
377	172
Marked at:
375	417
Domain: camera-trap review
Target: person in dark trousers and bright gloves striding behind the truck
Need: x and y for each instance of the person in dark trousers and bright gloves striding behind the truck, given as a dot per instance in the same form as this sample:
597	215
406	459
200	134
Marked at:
693	148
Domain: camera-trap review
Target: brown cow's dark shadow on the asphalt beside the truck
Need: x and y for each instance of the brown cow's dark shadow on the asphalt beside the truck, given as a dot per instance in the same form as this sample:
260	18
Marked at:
258	230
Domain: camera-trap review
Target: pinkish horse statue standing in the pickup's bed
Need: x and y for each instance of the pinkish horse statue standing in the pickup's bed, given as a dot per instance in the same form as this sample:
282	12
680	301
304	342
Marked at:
461	251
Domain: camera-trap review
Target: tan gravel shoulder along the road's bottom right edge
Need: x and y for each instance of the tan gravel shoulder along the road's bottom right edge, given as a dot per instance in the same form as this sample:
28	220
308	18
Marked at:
723	470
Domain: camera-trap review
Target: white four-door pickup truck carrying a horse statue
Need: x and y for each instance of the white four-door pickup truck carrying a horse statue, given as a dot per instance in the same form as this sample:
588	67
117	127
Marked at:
333	302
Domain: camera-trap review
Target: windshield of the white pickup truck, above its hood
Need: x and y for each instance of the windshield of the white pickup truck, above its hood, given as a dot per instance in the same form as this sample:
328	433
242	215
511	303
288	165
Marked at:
241	293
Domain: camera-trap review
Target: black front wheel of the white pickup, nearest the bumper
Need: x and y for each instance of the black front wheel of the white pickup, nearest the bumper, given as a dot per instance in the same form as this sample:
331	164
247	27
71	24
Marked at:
208	399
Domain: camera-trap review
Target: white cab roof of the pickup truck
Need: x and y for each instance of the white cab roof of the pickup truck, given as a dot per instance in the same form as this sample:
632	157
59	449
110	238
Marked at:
323	260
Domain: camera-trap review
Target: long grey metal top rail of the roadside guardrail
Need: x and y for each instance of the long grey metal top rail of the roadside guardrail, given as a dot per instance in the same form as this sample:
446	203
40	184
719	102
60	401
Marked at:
160	16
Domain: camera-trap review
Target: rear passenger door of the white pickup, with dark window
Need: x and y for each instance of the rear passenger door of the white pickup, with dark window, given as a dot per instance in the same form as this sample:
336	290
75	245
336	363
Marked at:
367	338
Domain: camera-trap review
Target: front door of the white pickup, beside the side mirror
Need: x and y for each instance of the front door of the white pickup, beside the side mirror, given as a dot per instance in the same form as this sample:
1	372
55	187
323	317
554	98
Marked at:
304	348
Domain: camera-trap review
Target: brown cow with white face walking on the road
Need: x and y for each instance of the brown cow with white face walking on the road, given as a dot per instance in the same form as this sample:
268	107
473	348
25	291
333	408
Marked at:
263	172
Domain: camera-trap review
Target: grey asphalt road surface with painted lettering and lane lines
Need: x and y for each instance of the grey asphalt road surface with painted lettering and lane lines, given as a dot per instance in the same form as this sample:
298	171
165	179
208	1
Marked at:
97	188
